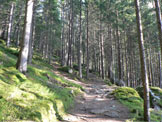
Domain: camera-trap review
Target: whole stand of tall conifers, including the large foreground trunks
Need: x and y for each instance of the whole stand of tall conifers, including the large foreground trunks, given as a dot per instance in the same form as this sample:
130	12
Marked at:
120	40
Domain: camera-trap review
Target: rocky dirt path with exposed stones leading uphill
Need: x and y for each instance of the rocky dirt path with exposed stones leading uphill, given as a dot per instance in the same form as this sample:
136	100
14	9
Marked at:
96	104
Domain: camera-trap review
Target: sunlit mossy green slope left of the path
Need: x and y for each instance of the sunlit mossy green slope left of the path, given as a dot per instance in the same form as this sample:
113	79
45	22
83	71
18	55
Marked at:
31	97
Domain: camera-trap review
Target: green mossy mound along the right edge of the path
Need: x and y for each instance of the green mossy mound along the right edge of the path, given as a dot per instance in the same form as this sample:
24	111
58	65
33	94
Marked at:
131	99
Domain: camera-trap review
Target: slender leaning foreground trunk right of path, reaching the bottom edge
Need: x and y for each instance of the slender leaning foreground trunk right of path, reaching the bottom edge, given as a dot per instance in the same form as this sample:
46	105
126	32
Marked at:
143	62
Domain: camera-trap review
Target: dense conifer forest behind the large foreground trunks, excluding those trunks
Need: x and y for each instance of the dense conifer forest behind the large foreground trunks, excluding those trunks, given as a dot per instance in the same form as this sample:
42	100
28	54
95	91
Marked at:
108	39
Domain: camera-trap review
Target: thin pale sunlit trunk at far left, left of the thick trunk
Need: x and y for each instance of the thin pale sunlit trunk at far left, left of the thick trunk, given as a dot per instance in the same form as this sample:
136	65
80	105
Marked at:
10	24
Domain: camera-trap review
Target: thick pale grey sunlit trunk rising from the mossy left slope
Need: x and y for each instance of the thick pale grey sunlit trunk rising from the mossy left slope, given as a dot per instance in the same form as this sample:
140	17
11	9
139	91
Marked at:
23	55
